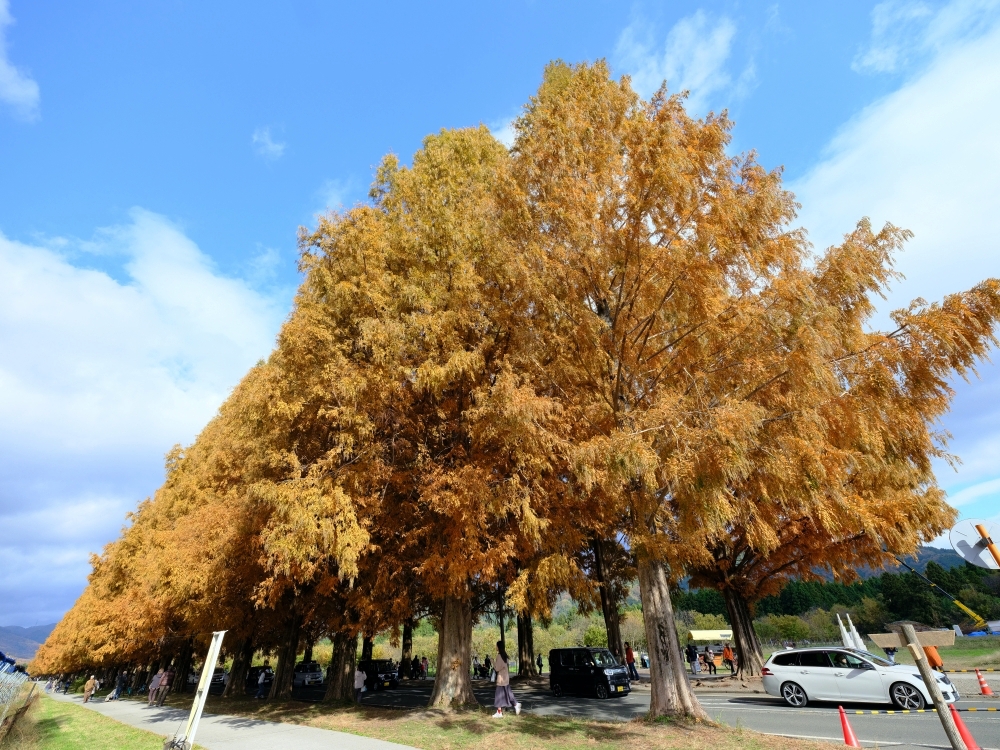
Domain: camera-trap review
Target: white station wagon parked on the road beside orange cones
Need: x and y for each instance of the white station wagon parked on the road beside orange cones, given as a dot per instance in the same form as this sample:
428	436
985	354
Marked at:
841	674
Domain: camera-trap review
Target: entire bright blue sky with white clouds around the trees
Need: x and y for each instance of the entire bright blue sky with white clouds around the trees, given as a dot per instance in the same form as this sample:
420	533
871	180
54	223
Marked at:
157	159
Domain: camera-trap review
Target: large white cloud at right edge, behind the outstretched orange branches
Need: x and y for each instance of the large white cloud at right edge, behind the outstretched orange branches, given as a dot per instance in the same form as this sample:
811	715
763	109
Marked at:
927	157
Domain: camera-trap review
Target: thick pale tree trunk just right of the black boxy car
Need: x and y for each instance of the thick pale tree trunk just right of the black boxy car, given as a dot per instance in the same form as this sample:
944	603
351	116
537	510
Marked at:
671	691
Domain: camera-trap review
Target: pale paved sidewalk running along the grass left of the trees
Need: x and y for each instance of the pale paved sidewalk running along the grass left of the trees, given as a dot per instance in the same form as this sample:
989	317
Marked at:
229	732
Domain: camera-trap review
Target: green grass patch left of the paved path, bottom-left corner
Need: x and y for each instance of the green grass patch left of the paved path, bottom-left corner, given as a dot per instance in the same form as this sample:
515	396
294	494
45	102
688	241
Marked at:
52	725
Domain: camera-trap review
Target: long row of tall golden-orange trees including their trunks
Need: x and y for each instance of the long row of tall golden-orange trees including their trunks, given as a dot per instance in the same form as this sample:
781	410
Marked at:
602	354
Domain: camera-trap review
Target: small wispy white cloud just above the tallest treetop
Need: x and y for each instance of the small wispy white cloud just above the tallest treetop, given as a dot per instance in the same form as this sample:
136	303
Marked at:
693	58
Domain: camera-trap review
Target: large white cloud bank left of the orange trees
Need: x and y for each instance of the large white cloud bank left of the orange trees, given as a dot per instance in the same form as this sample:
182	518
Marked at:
98	378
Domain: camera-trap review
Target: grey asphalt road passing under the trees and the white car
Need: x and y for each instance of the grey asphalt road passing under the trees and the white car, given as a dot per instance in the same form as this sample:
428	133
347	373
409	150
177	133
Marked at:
761	713
